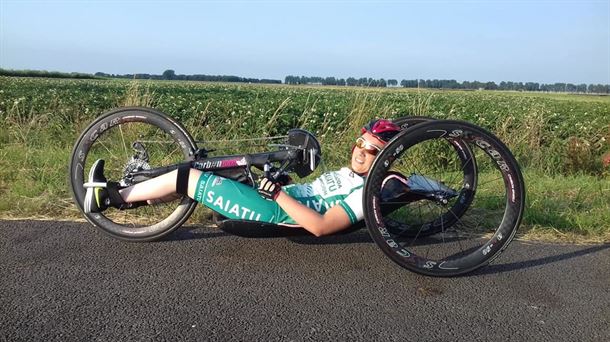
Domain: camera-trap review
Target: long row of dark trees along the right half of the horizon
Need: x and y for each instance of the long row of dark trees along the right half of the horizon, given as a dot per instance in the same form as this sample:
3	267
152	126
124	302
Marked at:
450	84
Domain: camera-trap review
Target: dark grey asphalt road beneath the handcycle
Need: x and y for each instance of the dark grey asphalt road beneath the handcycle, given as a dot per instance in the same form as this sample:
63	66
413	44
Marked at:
67	281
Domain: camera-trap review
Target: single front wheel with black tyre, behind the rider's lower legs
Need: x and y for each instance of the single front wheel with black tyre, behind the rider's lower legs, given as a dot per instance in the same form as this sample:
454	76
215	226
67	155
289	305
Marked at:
117	126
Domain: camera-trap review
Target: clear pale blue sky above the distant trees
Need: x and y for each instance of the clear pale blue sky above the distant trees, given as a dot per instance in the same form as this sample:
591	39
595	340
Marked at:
496	40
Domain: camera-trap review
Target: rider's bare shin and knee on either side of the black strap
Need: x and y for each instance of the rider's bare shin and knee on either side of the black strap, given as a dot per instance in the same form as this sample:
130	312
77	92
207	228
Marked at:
159	187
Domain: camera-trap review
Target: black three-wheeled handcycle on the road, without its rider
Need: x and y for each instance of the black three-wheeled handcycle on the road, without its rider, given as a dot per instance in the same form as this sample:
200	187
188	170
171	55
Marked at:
442	198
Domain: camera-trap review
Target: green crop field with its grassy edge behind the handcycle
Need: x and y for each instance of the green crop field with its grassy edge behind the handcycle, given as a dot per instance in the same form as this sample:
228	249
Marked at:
557	138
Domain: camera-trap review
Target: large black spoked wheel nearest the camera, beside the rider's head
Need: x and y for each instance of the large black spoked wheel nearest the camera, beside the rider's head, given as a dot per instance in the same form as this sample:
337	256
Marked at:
469	228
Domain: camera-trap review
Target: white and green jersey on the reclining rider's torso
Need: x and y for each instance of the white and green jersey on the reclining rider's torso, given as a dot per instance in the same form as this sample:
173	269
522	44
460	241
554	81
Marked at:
342	187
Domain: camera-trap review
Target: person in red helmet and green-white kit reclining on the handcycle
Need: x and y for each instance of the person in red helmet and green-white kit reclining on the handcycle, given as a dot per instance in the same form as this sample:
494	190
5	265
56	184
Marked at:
329	204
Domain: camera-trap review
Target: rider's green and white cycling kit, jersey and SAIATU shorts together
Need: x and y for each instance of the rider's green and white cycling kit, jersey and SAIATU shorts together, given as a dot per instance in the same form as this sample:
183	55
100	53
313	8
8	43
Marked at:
242	202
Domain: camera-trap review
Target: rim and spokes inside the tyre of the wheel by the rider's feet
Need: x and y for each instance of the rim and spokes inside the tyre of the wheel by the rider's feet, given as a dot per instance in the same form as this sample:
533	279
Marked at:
111	139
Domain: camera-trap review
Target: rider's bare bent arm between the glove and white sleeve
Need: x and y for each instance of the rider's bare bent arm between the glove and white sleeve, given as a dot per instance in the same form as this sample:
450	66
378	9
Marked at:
334	220
